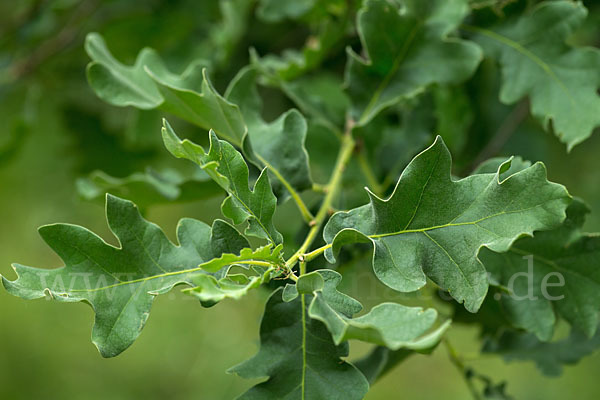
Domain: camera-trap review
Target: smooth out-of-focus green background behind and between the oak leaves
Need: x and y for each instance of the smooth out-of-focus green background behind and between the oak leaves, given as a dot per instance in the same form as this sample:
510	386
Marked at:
55	130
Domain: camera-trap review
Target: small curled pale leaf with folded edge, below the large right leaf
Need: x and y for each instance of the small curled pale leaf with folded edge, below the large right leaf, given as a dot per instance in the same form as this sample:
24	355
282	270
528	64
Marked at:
388	324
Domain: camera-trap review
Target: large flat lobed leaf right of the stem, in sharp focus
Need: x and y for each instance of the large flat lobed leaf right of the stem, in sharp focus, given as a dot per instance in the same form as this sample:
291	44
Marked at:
435	226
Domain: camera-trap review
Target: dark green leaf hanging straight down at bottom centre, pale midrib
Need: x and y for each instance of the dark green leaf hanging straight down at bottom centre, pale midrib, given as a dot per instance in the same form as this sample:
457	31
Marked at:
299	358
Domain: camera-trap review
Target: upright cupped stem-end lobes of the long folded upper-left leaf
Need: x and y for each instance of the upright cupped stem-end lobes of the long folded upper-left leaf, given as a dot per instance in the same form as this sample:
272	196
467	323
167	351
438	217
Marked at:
278	145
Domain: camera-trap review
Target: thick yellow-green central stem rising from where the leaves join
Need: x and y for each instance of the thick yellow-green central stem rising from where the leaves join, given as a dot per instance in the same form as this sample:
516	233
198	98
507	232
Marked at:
334	185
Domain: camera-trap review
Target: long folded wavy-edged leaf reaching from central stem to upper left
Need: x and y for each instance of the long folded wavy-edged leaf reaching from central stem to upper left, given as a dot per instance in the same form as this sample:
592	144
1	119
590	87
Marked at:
278	145
